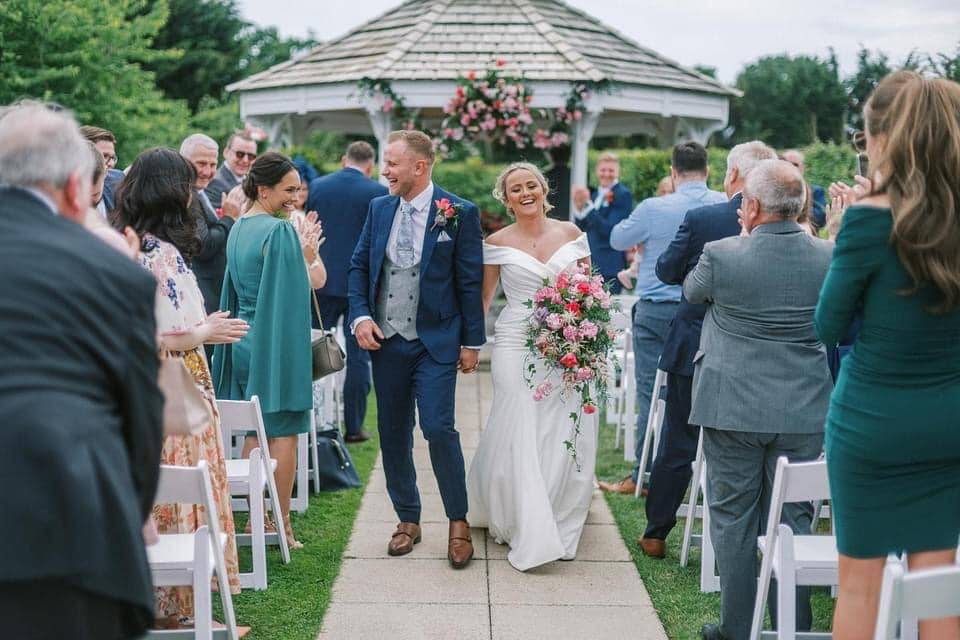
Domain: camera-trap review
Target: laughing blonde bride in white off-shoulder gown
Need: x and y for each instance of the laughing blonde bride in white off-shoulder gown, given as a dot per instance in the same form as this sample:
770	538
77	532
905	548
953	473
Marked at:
523	485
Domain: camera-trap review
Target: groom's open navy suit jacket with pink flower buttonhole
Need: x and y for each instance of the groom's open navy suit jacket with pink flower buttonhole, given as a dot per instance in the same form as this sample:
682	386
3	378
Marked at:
450	314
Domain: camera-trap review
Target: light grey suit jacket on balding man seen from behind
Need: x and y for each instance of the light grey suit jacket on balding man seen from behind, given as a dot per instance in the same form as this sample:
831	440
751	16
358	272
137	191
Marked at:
760	366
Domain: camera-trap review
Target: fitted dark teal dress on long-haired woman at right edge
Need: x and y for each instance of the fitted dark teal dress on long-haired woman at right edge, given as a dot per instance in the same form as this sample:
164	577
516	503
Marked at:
893	429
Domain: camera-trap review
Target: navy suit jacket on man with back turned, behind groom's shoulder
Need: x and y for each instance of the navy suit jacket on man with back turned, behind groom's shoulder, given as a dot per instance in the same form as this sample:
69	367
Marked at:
341	200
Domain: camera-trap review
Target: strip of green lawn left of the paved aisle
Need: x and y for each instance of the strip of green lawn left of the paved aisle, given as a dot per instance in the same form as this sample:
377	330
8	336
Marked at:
293	605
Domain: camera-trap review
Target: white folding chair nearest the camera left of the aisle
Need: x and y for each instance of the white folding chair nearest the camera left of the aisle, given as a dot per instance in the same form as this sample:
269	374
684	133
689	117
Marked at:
191	559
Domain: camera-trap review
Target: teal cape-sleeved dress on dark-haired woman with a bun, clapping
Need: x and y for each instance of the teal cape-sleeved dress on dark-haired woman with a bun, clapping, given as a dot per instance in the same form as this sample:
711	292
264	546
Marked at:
266	284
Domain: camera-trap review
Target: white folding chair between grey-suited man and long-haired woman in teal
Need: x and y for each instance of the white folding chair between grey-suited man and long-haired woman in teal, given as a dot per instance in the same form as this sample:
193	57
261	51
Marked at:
795	560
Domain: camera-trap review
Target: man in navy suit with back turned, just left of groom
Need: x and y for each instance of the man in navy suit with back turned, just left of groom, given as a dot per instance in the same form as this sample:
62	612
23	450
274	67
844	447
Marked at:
342	199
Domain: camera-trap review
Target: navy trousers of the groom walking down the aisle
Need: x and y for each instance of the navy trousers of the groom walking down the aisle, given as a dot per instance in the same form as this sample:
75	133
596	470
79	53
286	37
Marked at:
405	376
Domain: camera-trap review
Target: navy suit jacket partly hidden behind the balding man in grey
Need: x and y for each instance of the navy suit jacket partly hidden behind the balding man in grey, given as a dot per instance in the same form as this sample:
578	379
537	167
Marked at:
700	226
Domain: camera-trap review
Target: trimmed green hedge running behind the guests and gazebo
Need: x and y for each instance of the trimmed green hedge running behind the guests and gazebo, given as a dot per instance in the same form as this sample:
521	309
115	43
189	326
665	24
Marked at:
640	169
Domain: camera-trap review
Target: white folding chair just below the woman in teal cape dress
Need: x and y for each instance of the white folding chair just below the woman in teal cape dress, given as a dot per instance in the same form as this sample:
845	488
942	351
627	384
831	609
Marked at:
251	478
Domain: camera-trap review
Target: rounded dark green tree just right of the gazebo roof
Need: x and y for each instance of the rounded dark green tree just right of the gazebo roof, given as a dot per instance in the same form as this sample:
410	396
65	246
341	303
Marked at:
790	102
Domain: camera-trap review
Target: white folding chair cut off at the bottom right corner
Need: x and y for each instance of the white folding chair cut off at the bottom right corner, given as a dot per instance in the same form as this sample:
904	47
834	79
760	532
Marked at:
924	594
